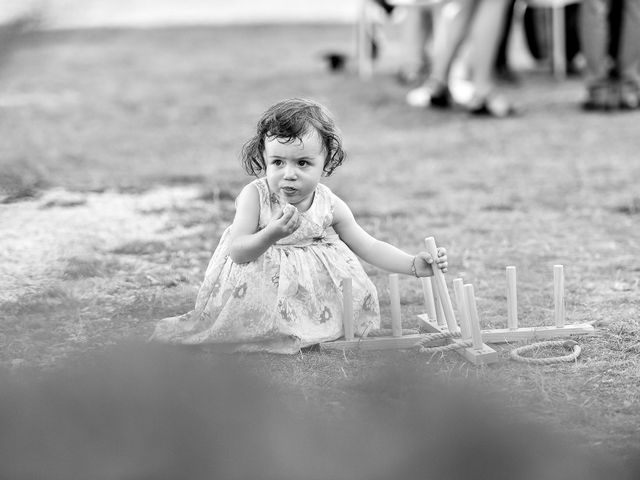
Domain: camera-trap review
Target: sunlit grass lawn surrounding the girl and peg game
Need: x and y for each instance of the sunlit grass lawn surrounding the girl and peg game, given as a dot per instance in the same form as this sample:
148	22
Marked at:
142	129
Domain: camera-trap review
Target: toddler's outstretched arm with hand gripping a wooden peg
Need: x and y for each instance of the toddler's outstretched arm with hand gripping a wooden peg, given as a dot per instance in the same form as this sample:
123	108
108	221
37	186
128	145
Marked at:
378	253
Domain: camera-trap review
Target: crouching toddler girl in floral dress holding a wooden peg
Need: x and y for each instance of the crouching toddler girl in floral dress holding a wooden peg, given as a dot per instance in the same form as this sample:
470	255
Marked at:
274	281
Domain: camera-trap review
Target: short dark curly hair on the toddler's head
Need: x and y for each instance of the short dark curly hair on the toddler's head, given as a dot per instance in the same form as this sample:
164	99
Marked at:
290	120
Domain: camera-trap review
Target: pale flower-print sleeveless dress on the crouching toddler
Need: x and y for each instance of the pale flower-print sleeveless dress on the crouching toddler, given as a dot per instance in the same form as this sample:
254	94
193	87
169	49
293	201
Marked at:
288	298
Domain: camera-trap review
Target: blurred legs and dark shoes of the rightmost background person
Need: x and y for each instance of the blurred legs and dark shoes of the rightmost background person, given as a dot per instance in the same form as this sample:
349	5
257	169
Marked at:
612	72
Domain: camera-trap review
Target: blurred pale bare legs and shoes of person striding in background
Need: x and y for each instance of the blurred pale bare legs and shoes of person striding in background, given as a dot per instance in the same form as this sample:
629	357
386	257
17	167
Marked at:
479	25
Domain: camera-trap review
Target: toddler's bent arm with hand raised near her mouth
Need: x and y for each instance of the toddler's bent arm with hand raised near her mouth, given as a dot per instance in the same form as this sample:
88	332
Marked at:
247	242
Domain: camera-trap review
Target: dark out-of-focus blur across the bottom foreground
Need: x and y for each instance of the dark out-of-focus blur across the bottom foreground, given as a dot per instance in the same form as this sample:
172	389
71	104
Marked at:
154	412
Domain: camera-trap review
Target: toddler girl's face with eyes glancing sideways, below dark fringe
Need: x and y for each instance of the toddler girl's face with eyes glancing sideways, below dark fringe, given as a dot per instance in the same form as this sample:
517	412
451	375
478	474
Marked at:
294	169
